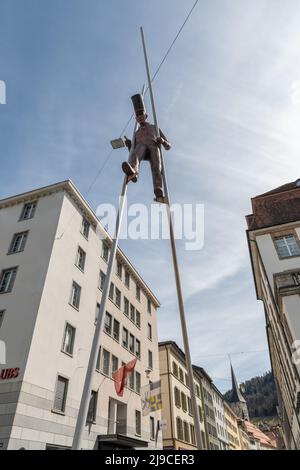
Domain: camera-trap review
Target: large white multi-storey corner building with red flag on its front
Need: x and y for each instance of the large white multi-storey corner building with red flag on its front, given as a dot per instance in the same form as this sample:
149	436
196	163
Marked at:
52	267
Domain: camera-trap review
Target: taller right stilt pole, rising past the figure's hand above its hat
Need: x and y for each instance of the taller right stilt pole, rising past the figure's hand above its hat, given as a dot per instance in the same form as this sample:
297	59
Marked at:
176	267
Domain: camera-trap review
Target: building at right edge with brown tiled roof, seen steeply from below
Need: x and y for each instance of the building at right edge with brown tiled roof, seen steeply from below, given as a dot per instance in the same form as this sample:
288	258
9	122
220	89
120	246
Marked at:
274	245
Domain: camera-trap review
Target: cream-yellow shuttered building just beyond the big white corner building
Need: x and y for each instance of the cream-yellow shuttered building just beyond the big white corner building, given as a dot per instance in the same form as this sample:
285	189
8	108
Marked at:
179	430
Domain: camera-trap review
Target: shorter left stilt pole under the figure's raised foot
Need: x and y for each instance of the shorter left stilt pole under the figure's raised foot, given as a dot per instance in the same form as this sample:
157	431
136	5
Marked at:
87	388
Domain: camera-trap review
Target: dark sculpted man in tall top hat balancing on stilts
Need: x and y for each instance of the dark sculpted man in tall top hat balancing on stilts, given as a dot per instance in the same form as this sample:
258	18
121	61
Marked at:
145	146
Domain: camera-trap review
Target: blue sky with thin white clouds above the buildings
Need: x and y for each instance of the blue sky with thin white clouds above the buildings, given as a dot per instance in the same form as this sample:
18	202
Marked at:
228	98
